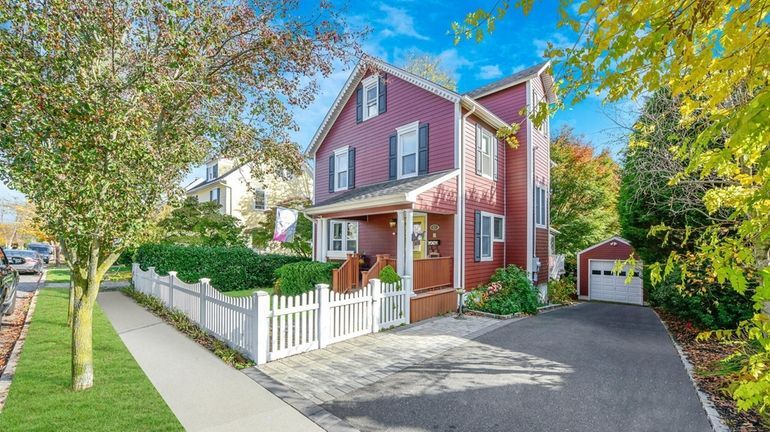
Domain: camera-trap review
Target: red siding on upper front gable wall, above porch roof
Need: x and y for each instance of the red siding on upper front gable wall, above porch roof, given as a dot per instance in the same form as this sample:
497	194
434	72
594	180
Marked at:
406	103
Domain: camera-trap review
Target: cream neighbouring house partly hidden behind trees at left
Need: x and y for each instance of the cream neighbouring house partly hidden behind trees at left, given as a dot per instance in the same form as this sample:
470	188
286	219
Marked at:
241	195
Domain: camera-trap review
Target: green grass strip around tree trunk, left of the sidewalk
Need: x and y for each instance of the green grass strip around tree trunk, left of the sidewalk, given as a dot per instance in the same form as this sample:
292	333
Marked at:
122	399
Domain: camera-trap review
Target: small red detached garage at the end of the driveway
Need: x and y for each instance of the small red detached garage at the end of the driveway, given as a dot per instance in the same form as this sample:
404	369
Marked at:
598	281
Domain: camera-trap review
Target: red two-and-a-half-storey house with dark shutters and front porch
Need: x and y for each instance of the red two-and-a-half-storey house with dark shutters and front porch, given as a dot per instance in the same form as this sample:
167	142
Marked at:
394	150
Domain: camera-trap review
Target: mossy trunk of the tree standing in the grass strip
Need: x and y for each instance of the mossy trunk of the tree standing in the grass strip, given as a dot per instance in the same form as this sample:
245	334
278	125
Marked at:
82	341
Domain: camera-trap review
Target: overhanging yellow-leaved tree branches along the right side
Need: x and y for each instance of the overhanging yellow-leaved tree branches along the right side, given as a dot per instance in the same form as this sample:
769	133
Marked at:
715	59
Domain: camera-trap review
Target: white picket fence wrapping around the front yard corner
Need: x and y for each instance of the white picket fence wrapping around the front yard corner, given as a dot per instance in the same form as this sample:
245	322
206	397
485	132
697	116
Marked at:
268	327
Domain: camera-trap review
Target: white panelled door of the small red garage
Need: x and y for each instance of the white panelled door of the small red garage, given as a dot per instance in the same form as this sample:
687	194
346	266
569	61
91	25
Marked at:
604	284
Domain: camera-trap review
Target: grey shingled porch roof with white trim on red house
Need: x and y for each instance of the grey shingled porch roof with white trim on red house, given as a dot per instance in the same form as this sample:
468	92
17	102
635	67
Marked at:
394	192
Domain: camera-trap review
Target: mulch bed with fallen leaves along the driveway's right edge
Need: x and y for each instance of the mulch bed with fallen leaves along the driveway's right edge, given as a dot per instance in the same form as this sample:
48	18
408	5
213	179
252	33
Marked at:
703	355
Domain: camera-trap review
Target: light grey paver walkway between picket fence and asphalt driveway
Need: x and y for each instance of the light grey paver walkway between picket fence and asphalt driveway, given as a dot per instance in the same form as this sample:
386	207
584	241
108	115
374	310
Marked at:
326	374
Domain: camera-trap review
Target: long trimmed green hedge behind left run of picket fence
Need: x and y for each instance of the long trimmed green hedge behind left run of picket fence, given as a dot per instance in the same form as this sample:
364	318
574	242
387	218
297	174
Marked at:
229	268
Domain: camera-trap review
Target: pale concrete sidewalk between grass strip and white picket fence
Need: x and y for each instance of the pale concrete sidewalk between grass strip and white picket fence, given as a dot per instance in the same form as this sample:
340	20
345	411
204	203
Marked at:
203	392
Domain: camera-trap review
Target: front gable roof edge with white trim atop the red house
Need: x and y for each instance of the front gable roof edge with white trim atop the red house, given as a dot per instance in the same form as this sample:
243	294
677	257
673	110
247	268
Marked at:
358	74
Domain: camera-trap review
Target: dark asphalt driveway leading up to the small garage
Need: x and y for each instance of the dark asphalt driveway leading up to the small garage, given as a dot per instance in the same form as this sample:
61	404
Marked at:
592	367
